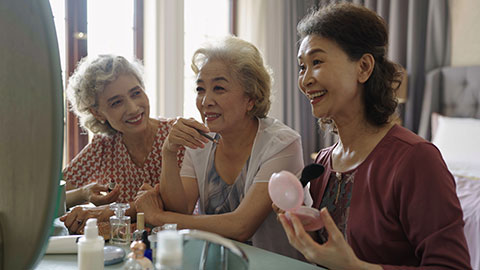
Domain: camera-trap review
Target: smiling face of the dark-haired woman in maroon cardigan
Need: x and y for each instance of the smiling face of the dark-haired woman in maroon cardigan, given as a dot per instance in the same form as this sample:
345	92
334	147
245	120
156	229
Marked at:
328	78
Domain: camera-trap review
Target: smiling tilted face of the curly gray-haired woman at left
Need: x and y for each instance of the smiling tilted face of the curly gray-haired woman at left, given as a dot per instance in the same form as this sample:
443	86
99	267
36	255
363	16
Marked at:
124	104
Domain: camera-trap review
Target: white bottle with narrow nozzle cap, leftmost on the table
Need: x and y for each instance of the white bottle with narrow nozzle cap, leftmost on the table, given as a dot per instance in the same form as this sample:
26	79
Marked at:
90	248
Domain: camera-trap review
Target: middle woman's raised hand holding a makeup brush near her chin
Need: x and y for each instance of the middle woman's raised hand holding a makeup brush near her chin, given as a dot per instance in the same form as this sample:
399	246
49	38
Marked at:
185	132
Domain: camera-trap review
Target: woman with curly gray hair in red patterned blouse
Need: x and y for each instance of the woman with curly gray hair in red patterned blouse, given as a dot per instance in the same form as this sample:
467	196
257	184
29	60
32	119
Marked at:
107	93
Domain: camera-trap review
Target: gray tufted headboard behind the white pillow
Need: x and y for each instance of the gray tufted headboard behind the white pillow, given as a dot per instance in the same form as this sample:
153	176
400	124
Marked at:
450	91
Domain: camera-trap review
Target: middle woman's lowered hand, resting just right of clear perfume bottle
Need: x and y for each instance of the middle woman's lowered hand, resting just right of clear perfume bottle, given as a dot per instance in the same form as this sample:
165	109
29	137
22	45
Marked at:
150	203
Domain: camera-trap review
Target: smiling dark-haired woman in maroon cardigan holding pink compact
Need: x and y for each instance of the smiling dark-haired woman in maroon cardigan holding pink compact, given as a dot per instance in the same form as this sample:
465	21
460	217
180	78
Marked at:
387	198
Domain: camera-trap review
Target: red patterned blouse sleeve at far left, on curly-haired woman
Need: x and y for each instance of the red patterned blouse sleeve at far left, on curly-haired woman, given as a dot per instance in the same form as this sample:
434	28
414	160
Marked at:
86	166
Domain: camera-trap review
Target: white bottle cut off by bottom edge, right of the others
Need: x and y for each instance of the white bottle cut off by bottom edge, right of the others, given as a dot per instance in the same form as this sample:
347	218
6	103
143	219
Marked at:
169	251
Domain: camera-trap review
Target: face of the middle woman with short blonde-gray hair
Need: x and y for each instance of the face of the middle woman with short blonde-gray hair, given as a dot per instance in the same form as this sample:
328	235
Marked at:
221	99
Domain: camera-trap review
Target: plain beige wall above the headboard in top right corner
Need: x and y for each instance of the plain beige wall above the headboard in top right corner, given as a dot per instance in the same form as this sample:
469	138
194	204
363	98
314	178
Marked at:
465	15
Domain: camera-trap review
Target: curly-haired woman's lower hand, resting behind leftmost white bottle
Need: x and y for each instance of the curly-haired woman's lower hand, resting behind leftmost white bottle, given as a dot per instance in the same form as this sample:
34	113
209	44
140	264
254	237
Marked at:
77	218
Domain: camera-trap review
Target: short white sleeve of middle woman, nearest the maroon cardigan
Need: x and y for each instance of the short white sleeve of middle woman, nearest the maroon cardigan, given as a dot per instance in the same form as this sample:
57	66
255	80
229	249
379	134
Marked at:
289	159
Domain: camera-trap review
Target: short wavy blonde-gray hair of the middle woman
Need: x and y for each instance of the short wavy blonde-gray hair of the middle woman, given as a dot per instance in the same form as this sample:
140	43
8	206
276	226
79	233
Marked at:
246	63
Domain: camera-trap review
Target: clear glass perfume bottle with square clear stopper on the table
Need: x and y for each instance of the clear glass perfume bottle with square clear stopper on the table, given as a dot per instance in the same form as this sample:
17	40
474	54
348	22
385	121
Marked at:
119	224
